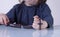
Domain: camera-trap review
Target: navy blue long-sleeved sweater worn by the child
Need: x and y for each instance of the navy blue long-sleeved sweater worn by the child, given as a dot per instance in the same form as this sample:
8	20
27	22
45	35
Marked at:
22	14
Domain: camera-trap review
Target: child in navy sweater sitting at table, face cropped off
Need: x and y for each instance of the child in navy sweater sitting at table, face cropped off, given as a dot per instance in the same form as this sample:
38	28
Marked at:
35	13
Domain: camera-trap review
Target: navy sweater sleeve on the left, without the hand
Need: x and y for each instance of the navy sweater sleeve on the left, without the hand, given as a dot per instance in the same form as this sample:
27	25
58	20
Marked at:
11	14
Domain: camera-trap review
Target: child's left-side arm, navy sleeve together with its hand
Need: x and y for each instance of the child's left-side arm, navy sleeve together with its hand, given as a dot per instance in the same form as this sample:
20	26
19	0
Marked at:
9	17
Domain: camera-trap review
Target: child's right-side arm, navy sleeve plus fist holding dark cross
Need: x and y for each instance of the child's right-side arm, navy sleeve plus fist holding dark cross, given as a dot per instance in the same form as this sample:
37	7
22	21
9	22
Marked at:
47	18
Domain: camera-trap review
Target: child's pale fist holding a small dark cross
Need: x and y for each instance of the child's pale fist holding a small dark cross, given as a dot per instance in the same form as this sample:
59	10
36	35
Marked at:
37	21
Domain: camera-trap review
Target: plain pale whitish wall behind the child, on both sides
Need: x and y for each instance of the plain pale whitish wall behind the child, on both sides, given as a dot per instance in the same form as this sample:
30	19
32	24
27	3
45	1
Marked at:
6	5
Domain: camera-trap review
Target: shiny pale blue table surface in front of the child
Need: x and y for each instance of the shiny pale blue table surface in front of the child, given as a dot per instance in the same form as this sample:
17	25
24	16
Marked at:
21	32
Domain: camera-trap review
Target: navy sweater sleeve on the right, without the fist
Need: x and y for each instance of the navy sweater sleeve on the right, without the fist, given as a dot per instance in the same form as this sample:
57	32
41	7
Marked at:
47	16
